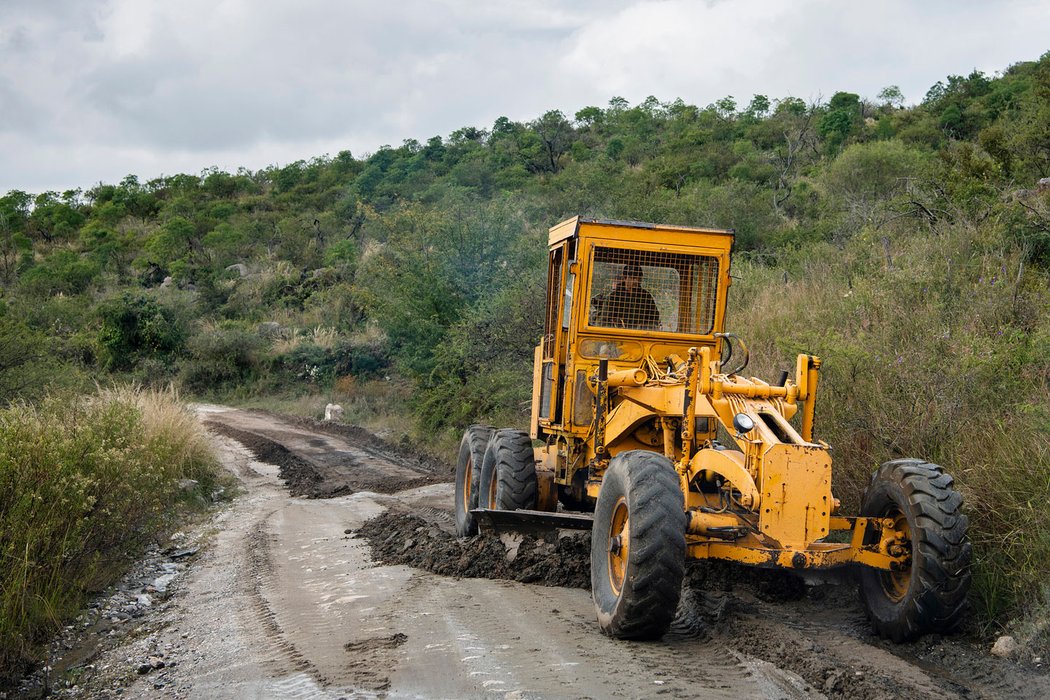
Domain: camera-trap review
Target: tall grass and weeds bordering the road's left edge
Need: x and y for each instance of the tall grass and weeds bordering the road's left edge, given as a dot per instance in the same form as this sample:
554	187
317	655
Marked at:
86	482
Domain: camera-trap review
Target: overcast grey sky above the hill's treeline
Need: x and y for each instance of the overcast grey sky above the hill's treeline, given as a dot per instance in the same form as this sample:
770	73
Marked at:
92	91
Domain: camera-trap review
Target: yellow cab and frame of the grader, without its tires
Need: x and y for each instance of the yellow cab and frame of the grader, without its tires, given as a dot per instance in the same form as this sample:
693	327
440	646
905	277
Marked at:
610	378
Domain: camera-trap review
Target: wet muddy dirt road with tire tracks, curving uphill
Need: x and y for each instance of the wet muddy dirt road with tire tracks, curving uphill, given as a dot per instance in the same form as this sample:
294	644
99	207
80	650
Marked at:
337	575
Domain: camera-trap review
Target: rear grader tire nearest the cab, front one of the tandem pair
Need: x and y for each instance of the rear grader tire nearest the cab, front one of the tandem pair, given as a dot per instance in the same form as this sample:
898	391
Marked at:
509	473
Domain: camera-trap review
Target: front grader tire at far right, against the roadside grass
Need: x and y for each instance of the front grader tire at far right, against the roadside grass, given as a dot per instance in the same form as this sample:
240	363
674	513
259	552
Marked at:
931	595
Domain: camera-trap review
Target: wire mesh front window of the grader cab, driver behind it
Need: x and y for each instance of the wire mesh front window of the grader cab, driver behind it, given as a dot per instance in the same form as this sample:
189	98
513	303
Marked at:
654	291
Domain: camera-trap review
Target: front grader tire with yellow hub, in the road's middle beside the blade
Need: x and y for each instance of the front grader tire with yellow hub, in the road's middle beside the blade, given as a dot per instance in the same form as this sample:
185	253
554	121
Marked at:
638	546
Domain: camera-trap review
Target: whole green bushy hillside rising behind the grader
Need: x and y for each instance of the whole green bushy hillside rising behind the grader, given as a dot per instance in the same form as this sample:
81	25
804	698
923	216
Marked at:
909	247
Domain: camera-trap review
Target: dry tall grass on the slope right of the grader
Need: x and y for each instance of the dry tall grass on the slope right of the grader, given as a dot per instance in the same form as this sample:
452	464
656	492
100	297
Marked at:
940	351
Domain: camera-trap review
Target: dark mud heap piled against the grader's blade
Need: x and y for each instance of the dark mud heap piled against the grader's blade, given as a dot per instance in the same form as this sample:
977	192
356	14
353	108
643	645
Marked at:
406	539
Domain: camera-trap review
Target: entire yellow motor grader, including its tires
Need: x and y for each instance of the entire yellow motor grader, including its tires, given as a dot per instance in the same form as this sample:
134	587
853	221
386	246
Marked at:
644	433
